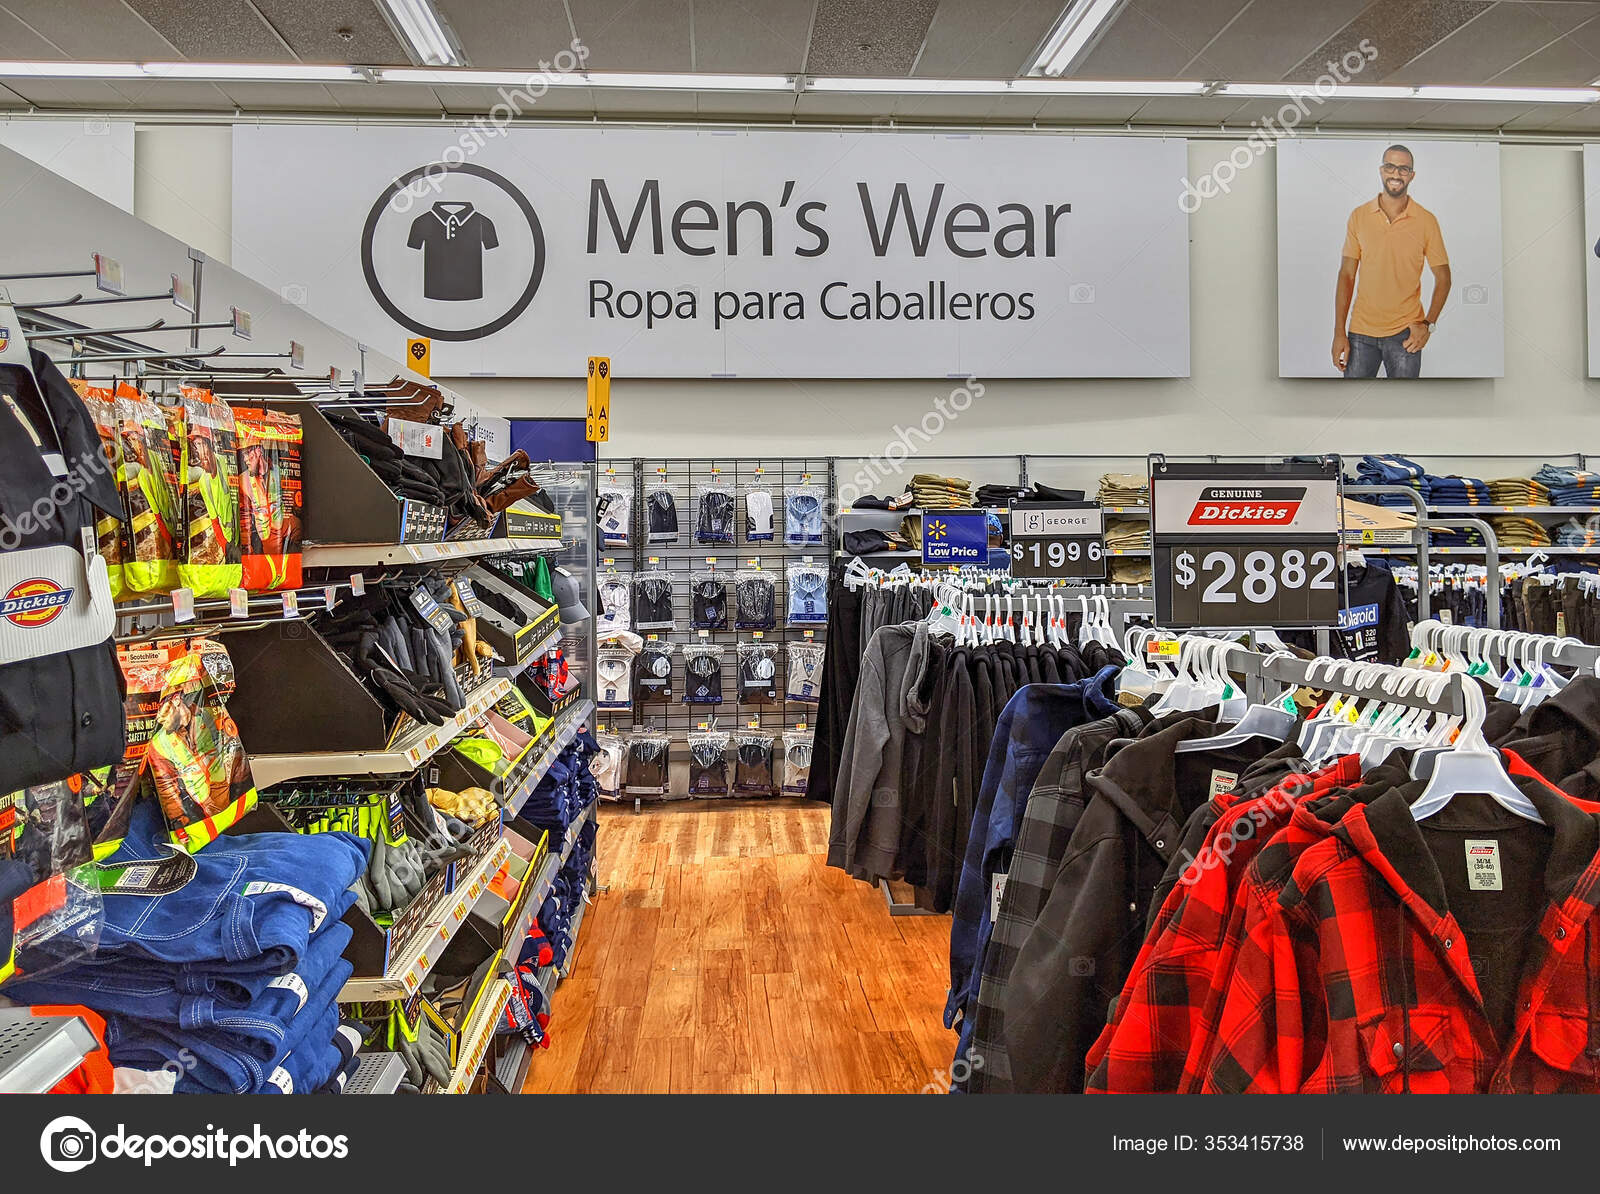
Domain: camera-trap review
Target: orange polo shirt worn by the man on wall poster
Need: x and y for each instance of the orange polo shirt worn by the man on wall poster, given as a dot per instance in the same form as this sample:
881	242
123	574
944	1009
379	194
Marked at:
1391	255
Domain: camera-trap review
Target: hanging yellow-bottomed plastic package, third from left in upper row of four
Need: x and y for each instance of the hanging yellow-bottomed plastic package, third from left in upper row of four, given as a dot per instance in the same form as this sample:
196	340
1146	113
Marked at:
209	555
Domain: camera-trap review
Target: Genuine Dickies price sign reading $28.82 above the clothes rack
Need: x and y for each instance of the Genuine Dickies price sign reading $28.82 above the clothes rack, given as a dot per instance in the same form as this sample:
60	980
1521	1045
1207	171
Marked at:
1246	545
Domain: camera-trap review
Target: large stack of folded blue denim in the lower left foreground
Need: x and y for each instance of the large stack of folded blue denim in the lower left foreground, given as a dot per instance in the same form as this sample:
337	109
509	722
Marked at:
222	968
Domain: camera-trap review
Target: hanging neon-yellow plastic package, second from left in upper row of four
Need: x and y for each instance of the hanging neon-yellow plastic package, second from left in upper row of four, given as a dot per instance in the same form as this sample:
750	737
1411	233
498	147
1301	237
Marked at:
151	486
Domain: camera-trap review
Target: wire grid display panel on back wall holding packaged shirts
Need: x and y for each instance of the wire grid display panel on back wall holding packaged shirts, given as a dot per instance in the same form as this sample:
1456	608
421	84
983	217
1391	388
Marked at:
684	558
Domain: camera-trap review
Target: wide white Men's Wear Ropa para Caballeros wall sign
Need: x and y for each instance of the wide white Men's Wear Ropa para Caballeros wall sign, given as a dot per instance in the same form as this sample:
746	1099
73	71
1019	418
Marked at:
743	254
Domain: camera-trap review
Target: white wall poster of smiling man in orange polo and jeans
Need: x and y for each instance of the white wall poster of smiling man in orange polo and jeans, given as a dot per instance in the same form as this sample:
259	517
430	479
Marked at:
1398	210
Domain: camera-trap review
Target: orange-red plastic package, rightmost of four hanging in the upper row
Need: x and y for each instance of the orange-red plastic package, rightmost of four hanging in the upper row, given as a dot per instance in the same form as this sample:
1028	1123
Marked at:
270	499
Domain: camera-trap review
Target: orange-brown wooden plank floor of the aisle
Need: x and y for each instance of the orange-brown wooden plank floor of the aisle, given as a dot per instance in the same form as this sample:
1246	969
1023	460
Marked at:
727	958
